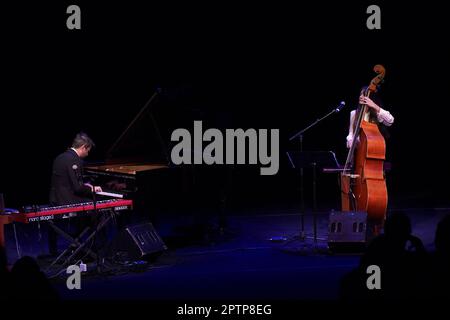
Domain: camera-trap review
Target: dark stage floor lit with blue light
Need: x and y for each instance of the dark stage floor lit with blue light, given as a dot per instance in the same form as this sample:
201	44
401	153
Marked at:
249	260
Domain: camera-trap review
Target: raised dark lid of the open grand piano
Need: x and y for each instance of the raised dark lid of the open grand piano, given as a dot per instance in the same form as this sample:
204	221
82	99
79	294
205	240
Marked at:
141	143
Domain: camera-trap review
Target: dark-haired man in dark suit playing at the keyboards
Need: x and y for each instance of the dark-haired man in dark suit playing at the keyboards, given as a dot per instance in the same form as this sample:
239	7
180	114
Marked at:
67	186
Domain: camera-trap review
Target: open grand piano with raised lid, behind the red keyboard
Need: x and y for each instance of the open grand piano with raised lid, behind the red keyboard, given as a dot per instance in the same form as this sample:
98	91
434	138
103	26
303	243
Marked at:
137	165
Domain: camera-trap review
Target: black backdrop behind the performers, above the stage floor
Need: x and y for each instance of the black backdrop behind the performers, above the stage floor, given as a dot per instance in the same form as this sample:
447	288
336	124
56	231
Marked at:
258	65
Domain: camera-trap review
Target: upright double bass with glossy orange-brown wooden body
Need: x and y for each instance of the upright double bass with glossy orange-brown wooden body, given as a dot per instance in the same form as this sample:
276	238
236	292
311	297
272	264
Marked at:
363	184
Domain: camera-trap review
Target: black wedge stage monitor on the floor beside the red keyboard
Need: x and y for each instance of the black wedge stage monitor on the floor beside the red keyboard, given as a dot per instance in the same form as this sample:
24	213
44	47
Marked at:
140	242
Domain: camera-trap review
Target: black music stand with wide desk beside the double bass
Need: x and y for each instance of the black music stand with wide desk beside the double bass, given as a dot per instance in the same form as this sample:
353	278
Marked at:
312	159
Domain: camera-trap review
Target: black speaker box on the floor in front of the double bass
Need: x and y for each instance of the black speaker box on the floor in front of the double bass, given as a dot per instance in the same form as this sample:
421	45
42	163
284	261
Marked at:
347	231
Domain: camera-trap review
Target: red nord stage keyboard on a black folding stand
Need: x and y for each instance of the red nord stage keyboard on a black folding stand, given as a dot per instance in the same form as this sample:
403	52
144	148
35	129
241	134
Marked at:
34	214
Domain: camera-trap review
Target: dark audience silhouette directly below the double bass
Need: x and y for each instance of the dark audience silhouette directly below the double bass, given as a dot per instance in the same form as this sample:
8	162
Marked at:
403	263
